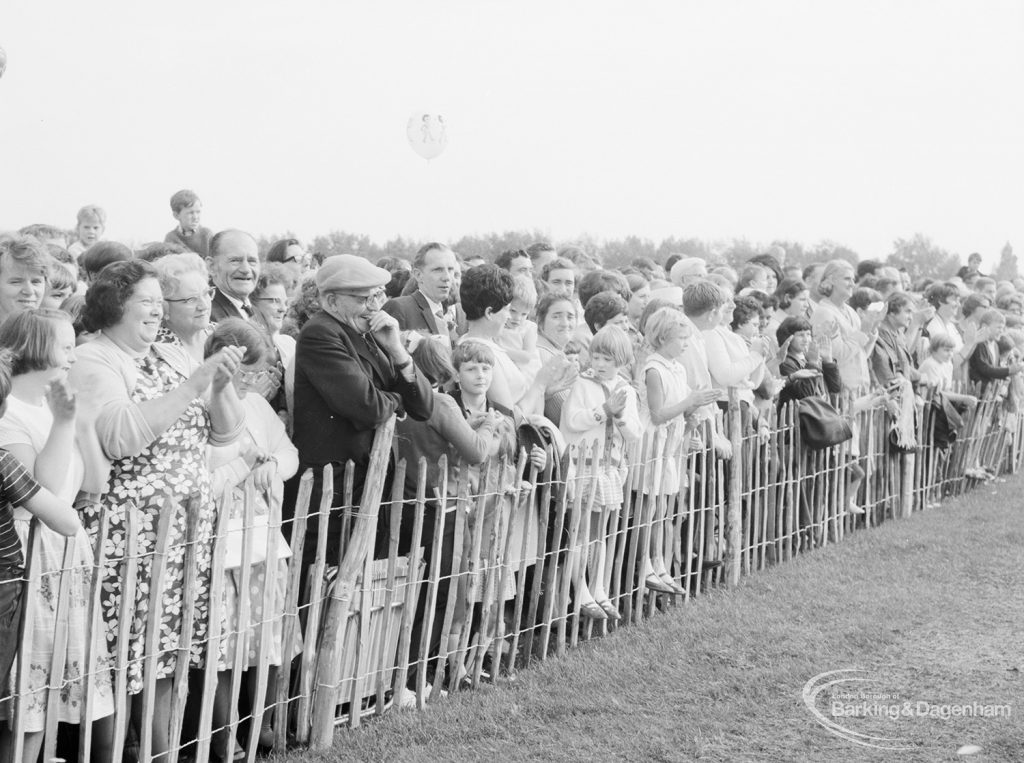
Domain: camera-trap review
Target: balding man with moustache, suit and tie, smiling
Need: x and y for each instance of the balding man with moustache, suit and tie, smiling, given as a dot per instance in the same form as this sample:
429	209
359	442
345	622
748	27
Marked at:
234	265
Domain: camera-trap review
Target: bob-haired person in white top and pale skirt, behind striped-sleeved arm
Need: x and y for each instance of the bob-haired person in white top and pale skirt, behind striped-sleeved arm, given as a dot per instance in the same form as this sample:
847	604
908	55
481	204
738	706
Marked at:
38	429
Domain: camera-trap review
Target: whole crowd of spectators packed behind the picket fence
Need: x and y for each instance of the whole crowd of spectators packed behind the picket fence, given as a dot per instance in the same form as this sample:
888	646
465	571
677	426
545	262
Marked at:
157	389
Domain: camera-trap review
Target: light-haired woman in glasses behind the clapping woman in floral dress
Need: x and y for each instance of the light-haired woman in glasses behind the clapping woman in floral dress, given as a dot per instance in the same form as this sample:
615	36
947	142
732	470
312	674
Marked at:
188	295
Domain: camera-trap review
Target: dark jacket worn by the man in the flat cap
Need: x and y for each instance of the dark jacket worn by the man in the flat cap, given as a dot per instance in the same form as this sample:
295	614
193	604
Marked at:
346	388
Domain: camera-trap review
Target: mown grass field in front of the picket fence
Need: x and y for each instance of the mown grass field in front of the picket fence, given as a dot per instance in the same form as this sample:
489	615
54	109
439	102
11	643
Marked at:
931	608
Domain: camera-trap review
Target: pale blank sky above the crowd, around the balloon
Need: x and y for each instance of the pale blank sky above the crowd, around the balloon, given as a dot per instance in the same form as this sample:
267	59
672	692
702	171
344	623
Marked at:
858	122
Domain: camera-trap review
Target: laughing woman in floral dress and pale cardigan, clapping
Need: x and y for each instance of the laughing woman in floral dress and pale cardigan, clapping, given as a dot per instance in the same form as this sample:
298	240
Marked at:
156	410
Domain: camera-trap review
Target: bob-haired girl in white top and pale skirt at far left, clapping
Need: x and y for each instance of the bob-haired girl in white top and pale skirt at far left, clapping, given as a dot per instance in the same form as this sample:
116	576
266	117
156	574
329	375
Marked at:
38	431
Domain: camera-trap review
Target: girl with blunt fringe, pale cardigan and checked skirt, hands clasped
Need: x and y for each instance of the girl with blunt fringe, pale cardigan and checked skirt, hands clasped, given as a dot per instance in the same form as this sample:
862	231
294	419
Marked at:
602	413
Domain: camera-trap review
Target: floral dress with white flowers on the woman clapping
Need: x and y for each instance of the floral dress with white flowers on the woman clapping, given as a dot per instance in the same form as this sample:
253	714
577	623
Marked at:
173	468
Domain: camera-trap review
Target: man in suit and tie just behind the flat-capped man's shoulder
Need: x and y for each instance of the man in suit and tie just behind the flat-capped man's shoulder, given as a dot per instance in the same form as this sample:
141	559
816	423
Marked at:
436	270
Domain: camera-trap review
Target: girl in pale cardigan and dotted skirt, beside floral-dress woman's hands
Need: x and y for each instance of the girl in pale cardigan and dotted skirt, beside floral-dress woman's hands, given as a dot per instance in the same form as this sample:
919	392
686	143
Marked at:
266	455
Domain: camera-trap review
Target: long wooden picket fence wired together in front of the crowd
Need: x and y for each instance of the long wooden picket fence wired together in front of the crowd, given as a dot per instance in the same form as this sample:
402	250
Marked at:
501	594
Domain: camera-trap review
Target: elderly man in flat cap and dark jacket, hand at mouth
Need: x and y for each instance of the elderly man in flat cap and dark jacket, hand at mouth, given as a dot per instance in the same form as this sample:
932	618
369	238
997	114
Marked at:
352	373
